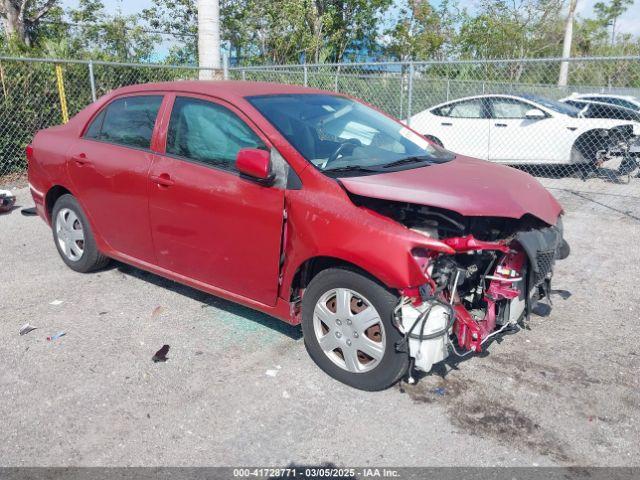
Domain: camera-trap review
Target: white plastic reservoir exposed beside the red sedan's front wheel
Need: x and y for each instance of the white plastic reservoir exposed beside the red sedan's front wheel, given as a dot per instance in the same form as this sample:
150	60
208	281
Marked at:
426	352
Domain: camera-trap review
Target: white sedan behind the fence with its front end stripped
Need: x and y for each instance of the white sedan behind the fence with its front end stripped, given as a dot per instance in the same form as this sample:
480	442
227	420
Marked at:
522	129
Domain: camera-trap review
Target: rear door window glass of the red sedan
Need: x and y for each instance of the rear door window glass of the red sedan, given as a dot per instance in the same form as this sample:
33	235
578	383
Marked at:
127	121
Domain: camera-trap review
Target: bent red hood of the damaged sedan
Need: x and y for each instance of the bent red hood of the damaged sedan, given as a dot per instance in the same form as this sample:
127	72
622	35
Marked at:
470	187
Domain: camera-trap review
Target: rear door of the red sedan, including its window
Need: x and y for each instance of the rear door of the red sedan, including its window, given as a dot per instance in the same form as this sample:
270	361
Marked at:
109	169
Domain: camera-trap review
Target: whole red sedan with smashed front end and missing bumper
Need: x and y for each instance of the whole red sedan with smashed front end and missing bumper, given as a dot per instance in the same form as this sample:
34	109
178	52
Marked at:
306	205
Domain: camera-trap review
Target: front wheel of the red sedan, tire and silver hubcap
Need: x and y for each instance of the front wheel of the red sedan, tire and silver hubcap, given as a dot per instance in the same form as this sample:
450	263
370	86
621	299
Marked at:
378	365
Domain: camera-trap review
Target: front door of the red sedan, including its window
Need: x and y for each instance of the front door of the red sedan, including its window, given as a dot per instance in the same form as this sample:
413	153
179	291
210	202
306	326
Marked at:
208	223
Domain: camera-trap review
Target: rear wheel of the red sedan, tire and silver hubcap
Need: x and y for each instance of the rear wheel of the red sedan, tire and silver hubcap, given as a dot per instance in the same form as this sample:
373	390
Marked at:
73	237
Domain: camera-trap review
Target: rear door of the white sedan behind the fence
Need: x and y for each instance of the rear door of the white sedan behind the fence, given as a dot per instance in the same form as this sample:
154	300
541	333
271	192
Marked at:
463	127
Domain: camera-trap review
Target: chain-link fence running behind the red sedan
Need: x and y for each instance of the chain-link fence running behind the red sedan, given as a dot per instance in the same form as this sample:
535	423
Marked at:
508	111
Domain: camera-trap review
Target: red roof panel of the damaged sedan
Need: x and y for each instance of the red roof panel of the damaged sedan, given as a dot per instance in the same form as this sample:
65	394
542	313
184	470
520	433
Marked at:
224	89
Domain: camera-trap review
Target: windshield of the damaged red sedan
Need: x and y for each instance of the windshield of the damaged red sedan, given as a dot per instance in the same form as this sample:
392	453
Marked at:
340	135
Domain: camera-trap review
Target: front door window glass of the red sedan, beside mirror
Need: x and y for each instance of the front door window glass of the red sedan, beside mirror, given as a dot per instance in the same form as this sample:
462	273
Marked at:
208	133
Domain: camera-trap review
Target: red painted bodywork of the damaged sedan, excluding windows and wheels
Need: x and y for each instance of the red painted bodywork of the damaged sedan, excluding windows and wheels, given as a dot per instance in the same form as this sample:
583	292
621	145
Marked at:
223	234
